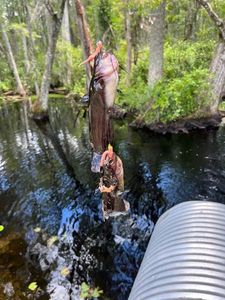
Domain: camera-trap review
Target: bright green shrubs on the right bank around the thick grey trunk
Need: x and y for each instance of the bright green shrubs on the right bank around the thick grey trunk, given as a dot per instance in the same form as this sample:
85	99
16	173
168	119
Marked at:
183	91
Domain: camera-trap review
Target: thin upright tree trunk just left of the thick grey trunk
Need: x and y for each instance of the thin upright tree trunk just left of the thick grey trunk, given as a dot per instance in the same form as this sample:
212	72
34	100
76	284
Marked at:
129	44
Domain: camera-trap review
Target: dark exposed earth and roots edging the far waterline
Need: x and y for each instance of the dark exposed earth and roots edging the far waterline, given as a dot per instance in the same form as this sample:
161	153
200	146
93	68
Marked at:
184	125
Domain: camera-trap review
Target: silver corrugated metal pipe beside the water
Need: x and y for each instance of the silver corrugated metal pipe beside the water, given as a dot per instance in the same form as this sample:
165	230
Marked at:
185	258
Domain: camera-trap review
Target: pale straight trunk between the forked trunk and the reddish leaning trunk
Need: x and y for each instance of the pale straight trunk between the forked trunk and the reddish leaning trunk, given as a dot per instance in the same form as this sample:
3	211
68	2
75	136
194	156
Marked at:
66	37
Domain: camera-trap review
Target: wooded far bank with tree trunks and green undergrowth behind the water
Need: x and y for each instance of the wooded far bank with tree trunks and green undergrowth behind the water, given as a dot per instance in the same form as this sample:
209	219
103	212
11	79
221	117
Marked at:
172	75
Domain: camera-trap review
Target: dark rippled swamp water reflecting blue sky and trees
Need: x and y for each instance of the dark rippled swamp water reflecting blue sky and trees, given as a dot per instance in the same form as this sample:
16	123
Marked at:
51	209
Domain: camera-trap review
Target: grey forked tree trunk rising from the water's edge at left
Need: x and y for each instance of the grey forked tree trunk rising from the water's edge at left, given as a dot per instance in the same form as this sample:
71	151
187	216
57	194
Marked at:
55	24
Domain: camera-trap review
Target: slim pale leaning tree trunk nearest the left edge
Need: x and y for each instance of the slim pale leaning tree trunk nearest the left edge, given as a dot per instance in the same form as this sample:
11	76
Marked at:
19	87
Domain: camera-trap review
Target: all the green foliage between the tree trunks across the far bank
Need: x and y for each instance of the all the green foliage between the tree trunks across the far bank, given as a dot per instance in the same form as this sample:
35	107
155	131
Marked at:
184	88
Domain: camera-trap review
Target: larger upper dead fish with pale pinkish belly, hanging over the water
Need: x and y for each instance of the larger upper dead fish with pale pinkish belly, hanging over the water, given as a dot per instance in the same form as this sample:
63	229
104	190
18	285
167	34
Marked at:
102	93
